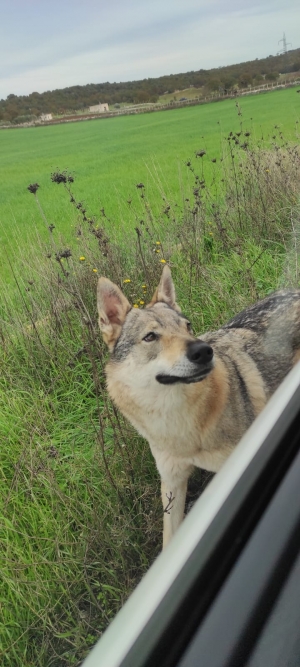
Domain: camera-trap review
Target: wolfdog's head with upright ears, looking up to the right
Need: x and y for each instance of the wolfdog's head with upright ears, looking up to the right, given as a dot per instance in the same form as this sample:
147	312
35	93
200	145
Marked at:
155	343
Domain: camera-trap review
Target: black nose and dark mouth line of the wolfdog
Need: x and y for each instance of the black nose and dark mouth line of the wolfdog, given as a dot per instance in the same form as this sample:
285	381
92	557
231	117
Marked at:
200	355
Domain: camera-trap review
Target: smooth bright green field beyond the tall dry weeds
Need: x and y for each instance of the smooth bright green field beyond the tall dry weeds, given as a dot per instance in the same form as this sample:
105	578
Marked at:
108	157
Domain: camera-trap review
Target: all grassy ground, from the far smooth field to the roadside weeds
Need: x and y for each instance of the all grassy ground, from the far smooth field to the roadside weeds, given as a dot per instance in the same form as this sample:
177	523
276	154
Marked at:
80	516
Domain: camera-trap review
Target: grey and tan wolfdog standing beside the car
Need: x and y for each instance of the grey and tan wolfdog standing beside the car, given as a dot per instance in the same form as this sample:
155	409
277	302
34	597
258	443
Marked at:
193	398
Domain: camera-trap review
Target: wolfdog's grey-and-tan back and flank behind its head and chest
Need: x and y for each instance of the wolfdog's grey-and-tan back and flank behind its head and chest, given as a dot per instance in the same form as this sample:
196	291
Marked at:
258	347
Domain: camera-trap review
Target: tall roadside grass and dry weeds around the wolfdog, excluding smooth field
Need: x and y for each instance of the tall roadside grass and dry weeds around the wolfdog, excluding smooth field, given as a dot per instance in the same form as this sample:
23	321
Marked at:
80	508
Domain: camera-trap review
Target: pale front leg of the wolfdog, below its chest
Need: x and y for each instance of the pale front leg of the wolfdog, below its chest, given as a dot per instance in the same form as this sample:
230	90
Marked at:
173	499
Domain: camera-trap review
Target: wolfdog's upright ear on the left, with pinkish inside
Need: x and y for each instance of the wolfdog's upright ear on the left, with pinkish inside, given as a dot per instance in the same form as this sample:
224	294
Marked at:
112	309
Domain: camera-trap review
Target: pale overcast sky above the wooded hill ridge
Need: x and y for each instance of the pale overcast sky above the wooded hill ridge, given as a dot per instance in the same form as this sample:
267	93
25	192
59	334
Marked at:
48	44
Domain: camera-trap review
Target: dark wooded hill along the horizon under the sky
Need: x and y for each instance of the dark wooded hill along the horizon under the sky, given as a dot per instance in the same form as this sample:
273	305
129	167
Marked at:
67	100
